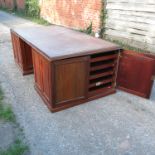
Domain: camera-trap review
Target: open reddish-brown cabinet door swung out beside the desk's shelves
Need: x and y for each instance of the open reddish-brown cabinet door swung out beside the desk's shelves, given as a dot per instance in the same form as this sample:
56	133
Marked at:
135	73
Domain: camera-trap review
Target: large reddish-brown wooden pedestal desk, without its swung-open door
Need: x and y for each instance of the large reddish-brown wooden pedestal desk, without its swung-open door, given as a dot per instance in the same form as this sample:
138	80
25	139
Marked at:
70	67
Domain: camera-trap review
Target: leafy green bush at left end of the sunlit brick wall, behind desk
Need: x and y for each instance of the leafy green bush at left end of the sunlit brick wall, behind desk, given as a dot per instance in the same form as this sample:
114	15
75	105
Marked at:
32	8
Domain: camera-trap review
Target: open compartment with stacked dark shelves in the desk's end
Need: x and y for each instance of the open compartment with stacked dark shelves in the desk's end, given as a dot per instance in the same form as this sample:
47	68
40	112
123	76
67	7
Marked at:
102	76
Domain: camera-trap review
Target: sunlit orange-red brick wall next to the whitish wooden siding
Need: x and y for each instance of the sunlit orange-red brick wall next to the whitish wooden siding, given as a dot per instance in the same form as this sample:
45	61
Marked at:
72	13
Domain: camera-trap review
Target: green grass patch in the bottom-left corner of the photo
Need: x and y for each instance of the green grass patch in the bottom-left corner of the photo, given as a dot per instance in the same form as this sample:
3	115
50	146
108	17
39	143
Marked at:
17	148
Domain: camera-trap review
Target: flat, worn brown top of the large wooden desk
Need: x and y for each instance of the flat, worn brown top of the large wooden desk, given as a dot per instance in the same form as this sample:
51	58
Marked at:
57	42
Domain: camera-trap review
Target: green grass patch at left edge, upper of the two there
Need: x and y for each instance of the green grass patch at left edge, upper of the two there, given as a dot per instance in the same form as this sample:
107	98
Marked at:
6	112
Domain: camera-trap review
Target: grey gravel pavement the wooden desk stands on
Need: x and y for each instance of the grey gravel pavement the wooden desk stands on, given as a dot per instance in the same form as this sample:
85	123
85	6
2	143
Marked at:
119	124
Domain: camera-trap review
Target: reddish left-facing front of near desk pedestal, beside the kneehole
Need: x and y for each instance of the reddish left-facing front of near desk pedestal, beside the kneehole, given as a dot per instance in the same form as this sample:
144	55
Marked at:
42	75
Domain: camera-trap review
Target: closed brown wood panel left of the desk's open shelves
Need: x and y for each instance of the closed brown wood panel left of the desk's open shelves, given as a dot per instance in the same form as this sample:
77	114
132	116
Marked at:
70	80
